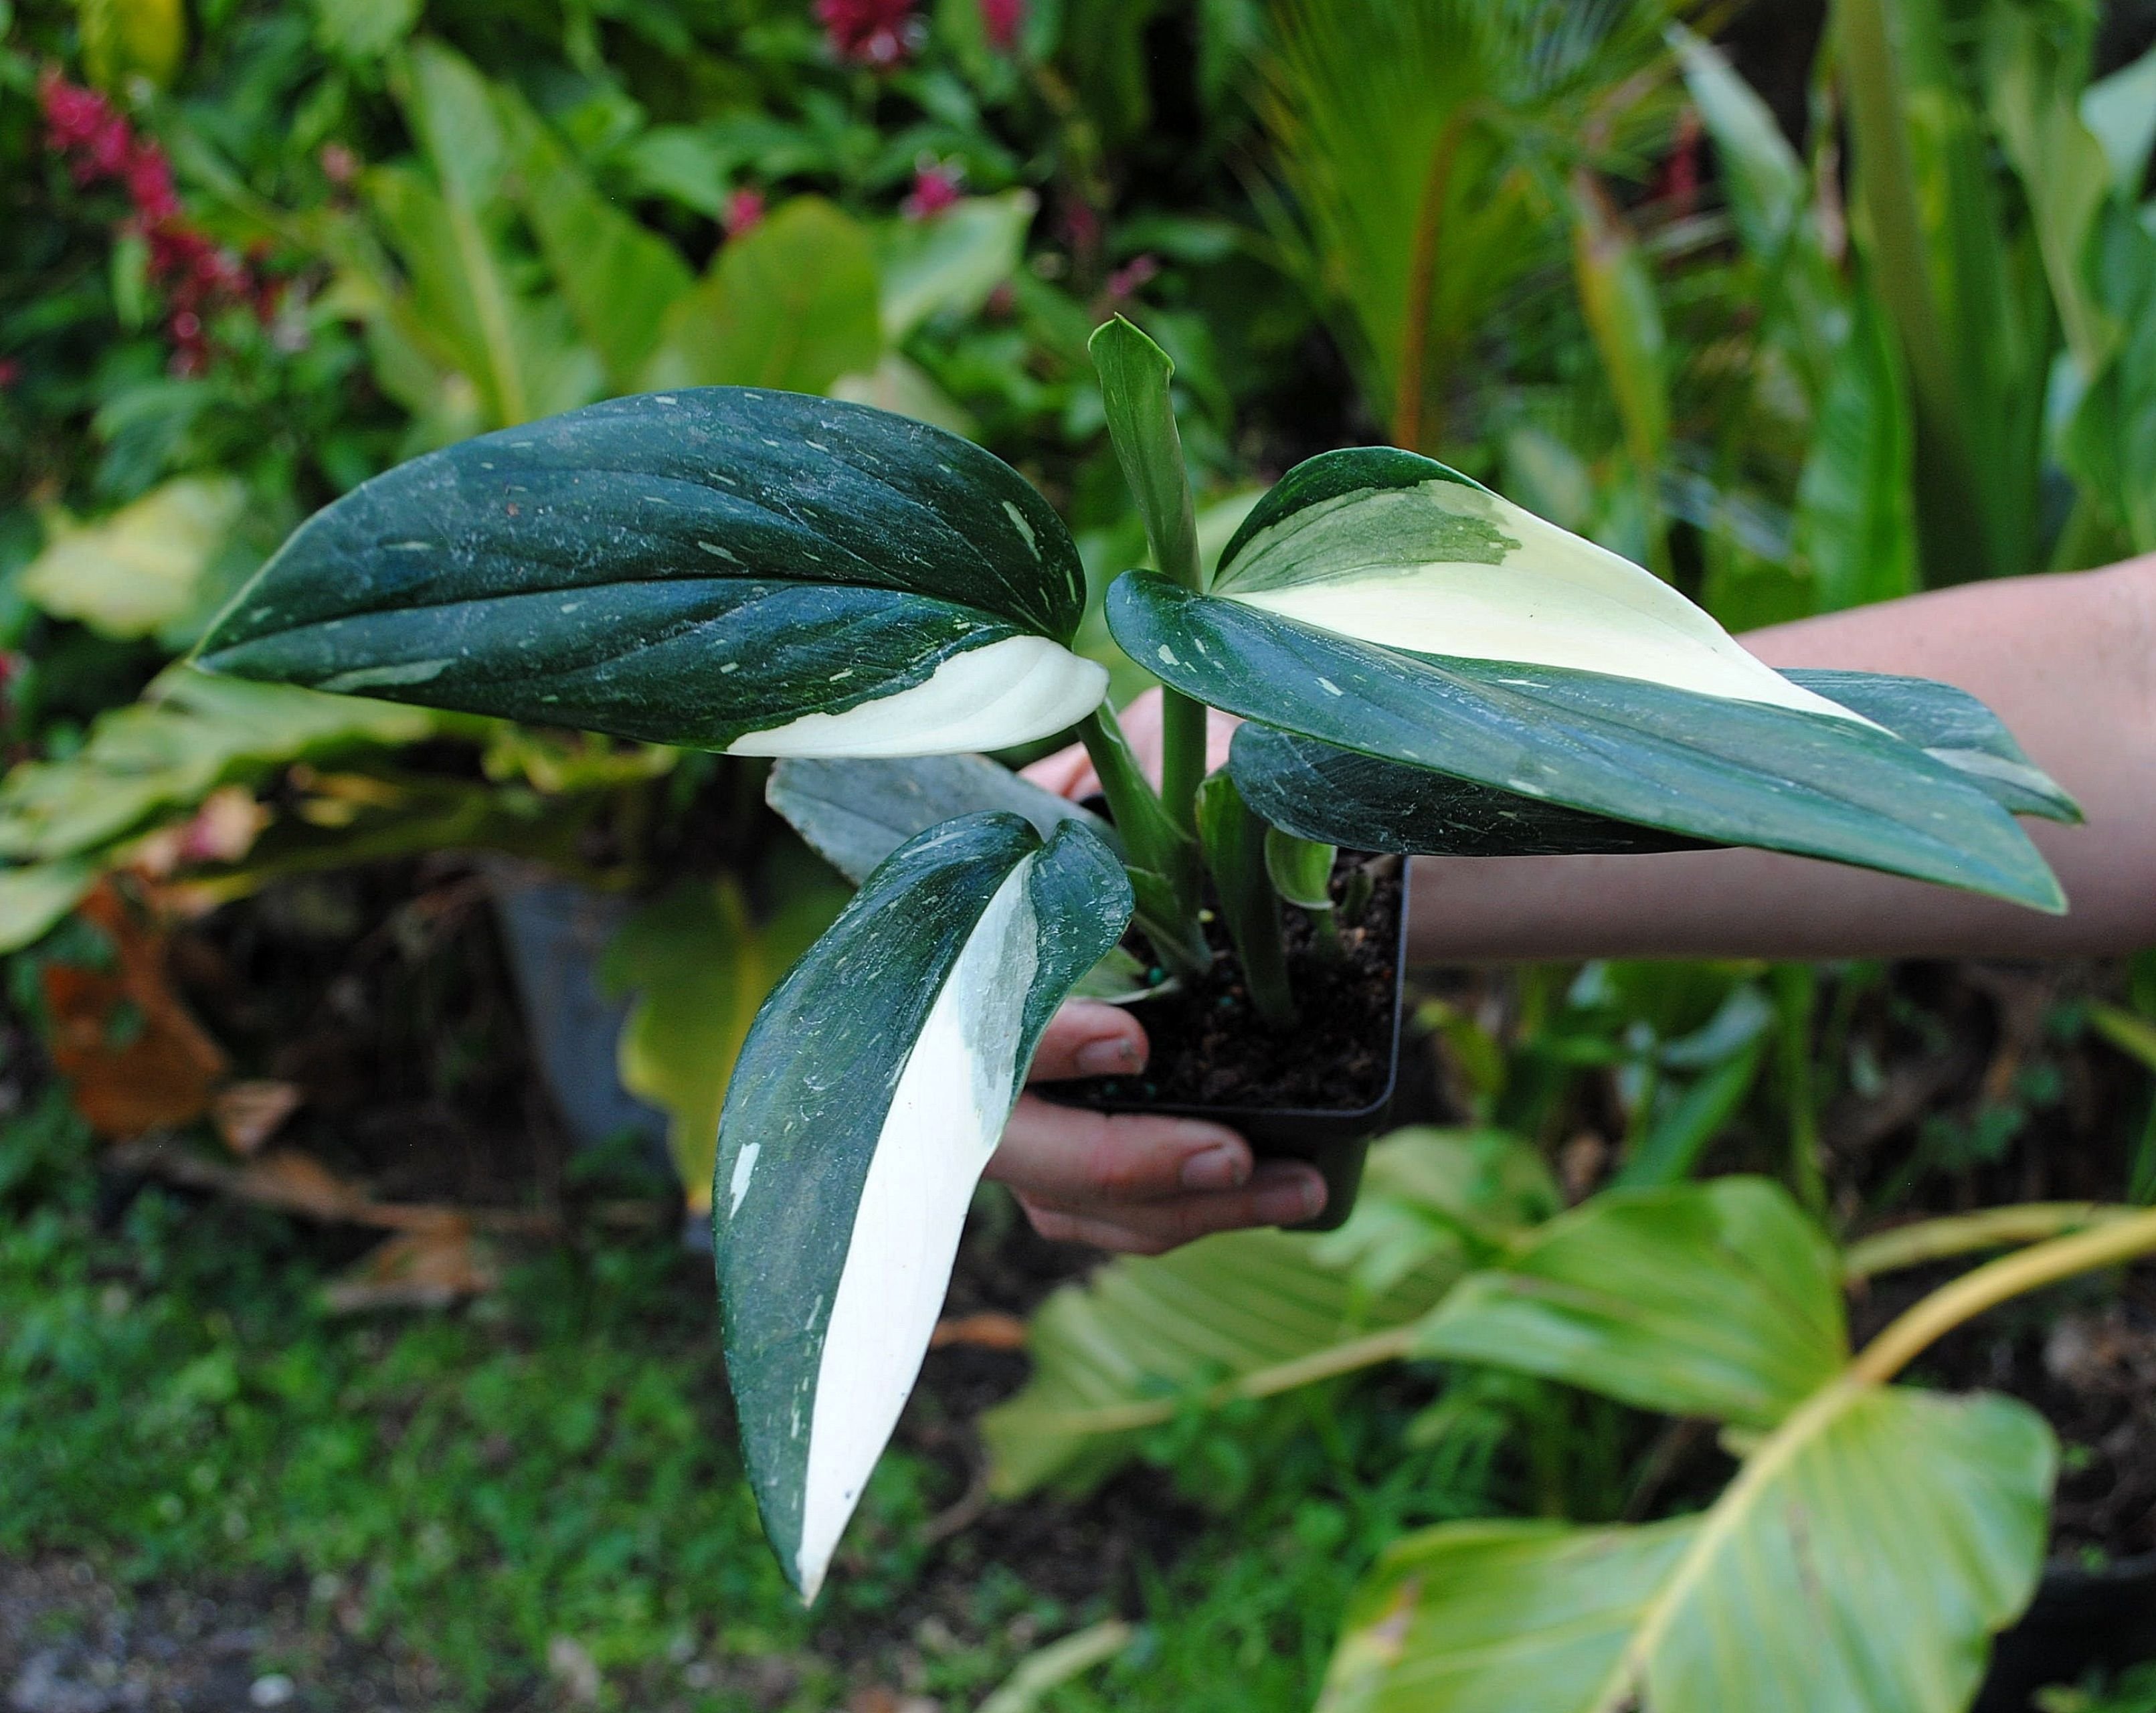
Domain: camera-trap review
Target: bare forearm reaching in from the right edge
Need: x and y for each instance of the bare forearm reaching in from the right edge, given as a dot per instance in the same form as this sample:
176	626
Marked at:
2064	660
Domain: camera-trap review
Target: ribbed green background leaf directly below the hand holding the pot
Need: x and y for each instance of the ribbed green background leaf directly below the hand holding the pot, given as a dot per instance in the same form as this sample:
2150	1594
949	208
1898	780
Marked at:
1256	1311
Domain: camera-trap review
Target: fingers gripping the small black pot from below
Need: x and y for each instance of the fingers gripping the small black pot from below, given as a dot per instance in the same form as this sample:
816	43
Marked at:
1133	1182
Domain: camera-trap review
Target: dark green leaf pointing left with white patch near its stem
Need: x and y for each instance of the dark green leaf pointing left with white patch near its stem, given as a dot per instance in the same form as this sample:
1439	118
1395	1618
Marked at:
723	568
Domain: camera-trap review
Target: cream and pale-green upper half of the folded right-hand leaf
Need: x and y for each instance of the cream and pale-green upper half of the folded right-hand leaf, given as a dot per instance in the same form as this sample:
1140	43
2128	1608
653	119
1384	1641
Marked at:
1454	570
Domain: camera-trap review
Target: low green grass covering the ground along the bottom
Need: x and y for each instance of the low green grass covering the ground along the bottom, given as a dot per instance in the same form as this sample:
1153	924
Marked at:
557	1462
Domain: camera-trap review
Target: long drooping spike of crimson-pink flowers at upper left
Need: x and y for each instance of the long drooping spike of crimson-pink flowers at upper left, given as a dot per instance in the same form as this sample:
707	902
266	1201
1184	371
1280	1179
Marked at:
195	270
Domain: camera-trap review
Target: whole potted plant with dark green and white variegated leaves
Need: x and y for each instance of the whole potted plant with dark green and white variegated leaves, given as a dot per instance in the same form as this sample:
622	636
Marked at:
1424	669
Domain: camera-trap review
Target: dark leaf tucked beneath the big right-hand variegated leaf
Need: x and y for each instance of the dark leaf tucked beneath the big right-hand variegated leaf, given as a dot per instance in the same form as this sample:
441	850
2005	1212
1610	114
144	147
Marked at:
1323	792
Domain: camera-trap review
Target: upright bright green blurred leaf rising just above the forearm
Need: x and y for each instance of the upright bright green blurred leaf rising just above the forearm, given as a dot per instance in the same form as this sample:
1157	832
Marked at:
1855	518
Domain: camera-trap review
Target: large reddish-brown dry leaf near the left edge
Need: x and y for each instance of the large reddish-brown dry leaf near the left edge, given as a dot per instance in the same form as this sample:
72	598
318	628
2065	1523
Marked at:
128	1048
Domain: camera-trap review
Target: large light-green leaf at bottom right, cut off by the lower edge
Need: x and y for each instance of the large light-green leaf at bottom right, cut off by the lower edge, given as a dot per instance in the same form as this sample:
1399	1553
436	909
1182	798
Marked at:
1860	1563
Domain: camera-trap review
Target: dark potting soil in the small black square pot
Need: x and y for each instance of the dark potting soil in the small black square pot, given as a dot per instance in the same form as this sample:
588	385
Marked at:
1211	1046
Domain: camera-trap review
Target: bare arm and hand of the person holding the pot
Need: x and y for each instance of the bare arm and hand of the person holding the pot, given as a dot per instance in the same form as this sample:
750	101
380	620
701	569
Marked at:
2067	660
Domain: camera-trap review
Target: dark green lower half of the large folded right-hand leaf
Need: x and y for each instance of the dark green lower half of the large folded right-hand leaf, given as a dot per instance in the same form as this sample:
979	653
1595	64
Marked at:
1717	768
